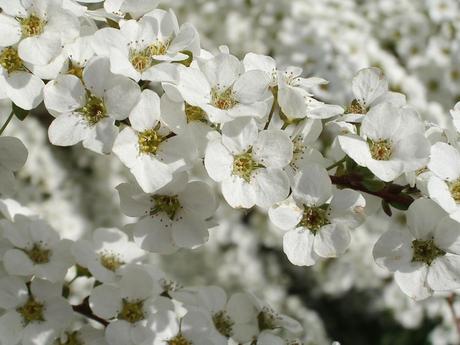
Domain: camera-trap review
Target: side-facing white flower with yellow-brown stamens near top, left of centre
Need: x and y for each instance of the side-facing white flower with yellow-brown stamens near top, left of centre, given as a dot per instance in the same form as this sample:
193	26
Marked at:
139	46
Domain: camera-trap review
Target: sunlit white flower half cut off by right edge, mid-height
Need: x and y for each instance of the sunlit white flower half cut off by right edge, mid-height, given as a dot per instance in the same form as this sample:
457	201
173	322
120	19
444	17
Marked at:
444	184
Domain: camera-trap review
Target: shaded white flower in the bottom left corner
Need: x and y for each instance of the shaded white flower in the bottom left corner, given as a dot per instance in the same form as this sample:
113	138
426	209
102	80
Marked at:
32	317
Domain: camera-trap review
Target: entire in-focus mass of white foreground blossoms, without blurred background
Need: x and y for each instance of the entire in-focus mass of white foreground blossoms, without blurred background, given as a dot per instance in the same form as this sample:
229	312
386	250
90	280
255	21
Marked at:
199	129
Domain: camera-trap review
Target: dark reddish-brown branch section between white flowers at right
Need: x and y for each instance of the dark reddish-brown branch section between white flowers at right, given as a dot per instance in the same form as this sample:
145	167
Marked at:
391	193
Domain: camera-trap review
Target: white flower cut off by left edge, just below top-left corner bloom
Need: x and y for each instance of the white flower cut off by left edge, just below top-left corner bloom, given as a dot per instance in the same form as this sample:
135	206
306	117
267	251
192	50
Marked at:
25	89
